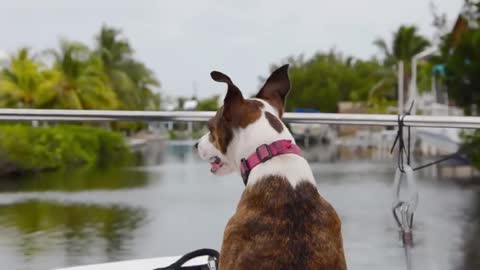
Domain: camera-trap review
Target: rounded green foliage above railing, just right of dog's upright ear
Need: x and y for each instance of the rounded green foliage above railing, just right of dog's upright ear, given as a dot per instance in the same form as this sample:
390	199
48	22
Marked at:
328	78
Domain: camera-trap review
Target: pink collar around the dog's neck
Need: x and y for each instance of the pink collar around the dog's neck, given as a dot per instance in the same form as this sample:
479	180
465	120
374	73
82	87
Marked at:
265	152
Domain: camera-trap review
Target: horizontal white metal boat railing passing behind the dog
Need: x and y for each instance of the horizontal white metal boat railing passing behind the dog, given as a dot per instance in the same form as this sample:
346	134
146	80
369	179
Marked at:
190	116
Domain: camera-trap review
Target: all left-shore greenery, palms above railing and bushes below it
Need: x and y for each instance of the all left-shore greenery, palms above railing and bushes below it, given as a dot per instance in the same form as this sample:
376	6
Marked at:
104	76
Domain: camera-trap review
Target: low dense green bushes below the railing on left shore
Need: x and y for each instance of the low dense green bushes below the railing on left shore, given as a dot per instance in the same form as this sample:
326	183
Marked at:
27	149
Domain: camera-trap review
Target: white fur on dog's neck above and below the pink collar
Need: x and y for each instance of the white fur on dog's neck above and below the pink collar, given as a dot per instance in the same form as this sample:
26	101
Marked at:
291	166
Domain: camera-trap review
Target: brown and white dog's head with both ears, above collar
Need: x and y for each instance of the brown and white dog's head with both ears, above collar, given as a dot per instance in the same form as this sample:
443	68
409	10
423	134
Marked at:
241	125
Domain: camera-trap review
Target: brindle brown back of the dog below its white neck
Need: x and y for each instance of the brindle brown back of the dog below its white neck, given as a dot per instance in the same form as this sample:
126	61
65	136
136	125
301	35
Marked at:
278	226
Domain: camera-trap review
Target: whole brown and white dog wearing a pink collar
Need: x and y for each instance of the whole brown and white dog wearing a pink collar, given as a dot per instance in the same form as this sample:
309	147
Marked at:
281	221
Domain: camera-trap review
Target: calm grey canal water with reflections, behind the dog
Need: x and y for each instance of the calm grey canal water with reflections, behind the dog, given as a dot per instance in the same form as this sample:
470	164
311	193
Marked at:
82	217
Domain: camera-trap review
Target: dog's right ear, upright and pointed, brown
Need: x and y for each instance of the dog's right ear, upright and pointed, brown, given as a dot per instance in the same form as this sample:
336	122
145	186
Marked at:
276	89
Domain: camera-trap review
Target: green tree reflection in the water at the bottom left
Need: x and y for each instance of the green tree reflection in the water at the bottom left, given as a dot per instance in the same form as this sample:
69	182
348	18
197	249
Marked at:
37	228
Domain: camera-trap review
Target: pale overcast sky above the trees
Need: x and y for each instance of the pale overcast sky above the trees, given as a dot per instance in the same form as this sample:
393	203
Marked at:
182	41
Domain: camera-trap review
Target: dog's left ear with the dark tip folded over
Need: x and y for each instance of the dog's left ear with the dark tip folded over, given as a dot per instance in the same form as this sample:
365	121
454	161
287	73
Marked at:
234	98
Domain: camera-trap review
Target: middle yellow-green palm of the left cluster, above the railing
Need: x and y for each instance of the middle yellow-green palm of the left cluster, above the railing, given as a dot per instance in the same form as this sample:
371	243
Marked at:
83	84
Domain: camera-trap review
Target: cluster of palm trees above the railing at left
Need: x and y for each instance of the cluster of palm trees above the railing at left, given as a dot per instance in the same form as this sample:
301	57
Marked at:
108	77
